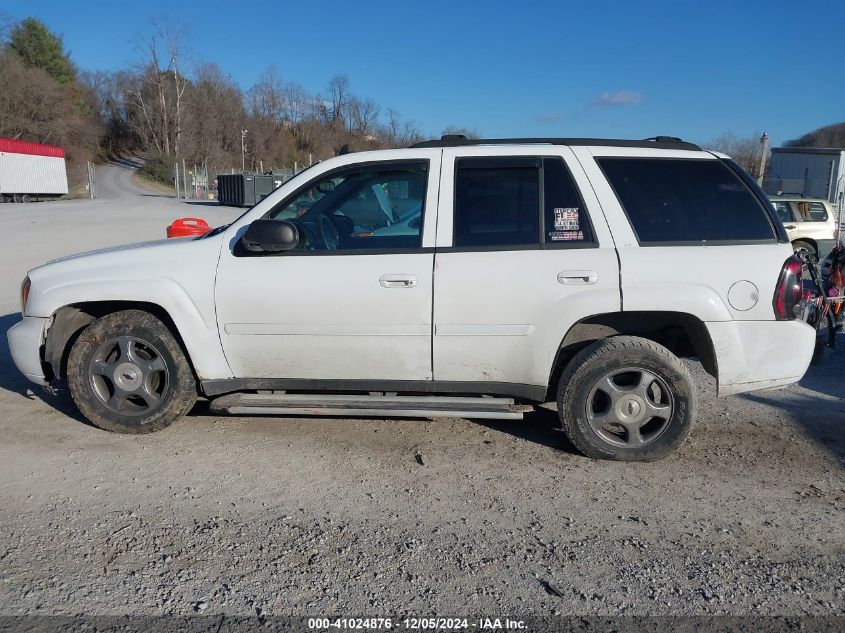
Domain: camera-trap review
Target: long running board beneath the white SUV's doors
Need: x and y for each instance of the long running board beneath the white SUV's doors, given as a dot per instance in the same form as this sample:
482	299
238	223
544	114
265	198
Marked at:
368	406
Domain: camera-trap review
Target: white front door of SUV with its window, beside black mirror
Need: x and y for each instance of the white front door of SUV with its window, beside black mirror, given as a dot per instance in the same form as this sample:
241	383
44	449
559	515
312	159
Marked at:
354	300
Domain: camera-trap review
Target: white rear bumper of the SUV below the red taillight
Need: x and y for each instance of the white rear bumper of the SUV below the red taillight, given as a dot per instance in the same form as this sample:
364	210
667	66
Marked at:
754	355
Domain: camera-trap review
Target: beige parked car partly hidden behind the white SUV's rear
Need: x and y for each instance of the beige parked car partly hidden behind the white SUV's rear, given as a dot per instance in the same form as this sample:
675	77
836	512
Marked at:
810	223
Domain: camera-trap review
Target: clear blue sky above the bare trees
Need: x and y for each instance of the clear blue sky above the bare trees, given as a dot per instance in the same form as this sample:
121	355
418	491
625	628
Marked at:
694	69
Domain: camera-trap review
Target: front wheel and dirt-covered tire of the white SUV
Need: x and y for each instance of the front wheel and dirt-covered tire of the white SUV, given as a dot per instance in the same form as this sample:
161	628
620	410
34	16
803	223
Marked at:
126	373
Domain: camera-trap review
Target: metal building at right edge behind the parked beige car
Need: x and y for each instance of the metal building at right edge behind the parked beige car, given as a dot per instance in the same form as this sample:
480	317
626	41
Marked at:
812	172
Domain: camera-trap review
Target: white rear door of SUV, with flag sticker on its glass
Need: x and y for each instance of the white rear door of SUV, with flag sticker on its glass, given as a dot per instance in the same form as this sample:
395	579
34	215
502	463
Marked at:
523	252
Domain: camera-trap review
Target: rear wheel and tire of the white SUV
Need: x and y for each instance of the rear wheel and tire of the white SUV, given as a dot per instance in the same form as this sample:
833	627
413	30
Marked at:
644	415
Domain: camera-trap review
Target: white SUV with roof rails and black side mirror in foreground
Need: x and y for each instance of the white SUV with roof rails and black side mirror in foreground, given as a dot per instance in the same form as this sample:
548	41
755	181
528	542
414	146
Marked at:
519	271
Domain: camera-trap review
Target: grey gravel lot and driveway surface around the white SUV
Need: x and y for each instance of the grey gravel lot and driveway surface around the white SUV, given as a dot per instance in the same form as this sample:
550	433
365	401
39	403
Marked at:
353	517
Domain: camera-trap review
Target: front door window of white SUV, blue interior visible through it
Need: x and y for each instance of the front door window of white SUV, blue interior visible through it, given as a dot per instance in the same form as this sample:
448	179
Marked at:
375	207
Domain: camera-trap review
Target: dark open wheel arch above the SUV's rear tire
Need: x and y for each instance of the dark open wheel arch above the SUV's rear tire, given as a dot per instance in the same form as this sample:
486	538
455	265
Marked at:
684	334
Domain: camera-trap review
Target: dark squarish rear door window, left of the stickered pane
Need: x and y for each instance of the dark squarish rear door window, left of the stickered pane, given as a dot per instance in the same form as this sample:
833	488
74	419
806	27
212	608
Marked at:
497	202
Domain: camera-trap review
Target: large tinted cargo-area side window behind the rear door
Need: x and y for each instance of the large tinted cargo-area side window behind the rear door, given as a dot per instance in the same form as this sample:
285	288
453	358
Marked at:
686	201
